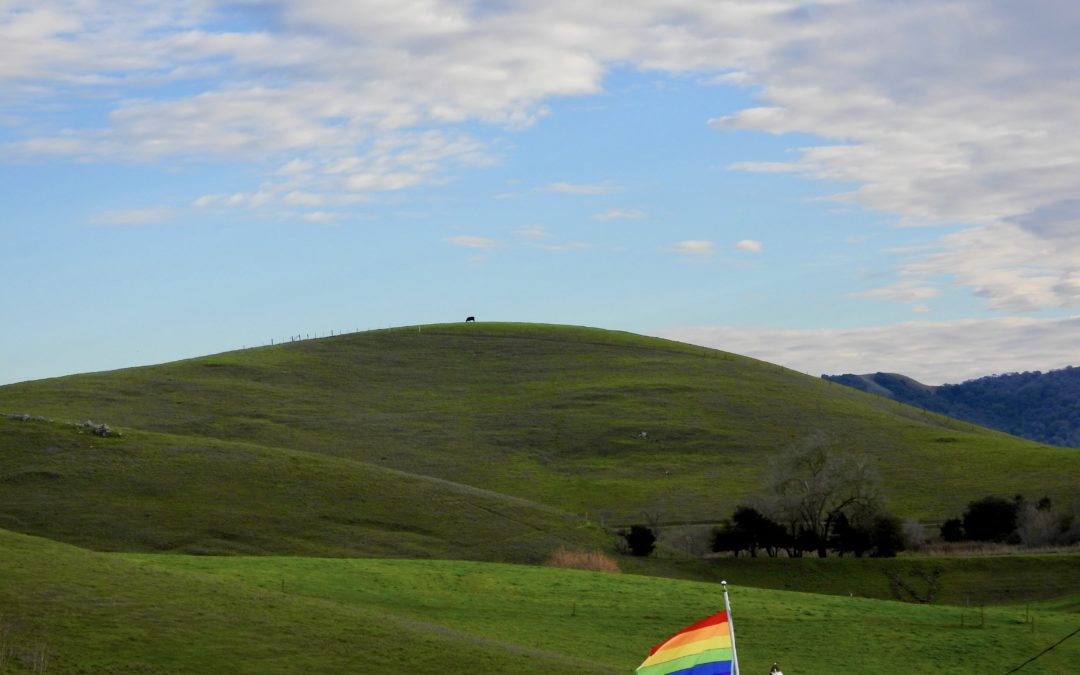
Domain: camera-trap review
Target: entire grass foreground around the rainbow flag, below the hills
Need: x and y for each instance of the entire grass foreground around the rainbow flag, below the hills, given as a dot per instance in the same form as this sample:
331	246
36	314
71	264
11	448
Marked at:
147	614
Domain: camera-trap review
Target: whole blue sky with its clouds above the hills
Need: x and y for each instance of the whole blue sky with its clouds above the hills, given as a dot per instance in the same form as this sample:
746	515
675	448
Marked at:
835	186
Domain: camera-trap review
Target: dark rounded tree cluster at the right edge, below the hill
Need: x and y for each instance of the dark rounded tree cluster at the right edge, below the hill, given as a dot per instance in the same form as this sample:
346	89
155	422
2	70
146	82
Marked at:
1015	521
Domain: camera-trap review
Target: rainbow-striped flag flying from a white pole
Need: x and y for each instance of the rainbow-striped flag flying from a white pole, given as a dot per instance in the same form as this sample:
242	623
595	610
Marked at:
704	649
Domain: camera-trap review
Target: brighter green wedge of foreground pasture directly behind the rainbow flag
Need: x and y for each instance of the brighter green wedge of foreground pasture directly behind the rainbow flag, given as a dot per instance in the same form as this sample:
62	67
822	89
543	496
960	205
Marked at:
614	620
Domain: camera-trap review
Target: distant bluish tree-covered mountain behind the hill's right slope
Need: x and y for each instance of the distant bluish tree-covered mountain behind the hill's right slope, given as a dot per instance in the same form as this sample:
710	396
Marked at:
1041	407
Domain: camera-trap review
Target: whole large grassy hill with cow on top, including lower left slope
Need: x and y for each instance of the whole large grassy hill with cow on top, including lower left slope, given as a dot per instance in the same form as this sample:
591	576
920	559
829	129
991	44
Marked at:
475	441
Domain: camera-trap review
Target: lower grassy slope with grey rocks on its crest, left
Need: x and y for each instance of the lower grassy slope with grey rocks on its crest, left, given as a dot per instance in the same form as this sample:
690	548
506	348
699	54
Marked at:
157	492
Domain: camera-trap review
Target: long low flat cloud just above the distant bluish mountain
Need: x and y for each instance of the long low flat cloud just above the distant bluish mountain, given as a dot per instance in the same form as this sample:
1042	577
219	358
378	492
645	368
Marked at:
931	353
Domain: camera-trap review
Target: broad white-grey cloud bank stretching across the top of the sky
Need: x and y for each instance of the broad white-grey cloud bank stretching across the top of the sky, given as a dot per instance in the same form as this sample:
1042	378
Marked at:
956	112
